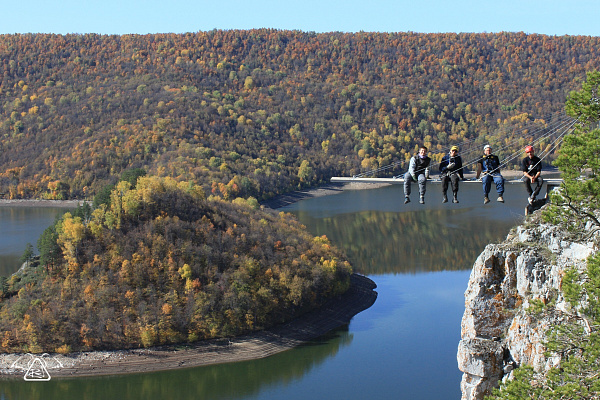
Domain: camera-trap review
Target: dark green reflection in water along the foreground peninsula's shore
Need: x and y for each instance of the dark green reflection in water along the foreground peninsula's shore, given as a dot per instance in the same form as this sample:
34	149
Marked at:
223	381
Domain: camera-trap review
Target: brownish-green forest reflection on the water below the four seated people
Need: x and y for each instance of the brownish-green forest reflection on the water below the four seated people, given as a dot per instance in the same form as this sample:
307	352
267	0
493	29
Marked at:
419	241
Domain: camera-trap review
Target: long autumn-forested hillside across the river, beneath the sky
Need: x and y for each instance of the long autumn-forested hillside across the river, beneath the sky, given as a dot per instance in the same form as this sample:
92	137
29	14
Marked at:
261	112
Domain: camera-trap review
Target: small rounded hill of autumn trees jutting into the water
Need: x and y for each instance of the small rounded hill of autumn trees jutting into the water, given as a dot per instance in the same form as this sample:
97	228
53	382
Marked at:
161	264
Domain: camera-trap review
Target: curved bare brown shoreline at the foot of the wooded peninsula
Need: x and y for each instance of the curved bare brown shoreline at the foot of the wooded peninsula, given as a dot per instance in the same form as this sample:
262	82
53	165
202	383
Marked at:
335	313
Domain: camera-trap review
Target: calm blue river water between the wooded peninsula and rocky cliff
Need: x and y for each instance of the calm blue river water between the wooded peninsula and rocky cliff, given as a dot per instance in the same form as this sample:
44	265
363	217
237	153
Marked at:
403	347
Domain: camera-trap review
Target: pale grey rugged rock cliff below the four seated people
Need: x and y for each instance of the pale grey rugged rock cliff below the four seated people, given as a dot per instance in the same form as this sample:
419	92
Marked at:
497	332
